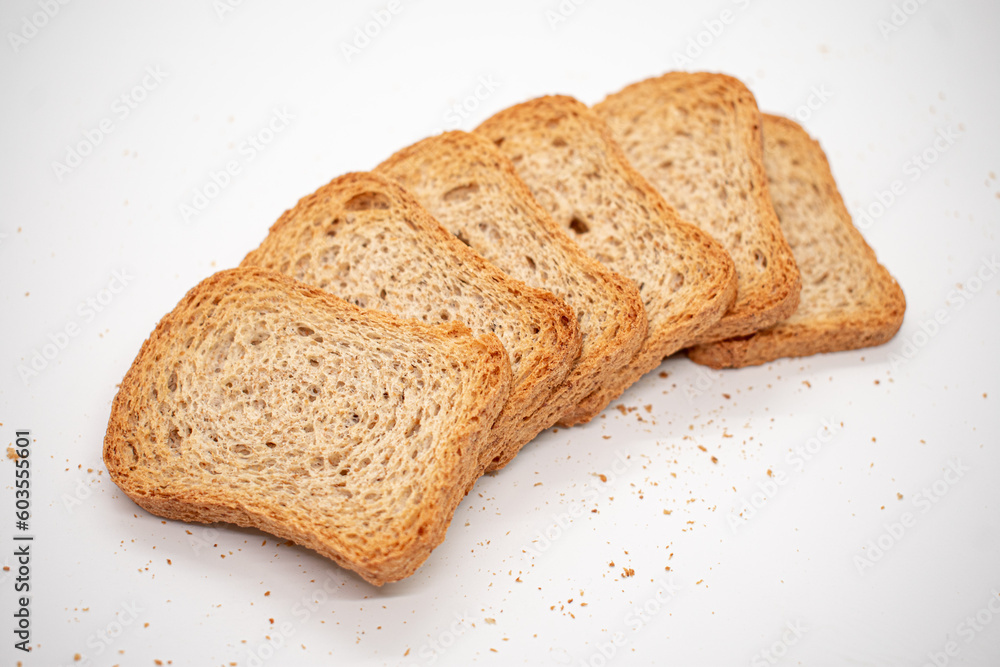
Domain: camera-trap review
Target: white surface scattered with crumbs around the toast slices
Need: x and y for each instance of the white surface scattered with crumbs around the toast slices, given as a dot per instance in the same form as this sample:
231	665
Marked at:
871	543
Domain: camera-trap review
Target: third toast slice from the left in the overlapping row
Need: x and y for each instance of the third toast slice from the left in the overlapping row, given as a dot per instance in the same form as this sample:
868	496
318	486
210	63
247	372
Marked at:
473	190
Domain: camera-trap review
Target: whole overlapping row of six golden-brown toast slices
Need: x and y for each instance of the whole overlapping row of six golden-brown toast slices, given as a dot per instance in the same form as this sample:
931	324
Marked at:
401	332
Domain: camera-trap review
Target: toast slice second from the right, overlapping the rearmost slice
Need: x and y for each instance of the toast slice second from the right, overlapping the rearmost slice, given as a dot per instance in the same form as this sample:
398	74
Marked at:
697	139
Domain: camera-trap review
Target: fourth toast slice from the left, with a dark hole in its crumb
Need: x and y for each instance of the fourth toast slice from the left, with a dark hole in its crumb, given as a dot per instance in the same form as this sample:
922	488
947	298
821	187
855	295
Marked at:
565	154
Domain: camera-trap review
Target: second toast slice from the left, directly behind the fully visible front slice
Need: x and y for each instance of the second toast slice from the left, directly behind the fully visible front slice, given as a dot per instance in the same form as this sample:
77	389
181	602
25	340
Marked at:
365	239
